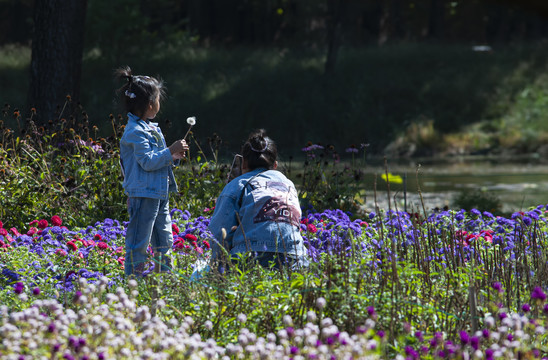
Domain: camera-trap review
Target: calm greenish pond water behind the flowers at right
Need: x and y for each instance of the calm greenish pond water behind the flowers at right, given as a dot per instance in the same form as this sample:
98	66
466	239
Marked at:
518	183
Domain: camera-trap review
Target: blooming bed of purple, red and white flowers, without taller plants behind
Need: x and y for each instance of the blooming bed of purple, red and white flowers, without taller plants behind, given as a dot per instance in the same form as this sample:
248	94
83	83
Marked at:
392	285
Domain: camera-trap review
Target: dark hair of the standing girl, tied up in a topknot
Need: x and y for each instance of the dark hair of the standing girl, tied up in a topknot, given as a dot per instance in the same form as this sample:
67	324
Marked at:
138	91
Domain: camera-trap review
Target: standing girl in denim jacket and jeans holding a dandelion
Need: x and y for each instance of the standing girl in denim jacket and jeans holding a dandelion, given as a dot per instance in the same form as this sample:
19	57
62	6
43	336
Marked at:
146	163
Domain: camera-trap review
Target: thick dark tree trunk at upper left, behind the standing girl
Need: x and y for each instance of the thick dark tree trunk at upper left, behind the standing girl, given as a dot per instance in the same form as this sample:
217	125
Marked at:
56	62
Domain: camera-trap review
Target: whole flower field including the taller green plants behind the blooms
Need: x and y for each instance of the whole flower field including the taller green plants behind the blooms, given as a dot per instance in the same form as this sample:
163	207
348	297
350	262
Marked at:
388	284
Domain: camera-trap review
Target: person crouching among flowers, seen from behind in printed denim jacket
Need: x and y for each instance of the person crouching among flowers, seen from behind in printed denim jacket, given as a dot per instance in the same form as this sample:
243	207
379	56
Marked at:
258	212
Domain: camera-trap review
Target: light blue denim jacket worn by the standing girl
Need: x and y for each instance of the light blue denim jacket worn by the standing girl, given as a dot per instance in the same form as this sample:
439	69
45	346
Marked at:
146	160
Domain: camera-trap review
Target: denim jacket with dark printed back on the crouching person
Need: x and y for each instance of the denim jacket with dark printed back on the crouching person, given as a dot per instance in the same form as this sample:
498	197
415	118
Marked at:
264	207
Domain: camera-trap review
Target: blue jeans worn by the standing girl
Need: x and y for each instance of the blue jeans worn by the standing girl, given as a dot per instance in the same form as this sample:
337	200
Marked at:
149	223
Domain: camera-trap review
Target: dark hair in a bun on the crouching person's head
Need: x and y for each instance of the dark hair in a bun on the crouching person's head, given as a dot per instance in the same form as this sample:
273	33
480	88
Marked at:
259	150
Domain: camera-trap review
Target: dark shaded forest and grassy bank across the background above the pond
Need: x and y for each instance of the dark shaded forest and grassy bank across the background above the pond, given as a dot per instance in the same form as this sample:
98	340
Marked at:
425	77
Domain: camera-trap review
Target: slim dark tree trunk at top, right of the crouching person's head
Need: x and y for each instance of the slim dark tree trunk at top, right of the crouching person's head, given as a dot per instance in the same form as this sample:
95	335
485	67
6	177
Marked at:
335	10
